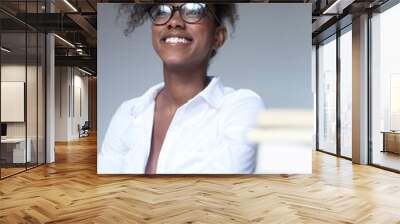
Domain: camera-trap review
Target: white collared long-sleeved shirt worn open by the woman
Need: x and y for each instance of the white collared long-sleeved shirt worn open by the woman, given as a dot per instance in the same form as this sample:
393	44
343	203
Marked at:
206	136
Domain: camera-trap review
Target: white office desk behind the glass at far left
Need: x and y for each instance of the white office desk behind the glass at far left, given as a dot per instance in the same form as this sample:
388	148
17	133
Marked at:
13	150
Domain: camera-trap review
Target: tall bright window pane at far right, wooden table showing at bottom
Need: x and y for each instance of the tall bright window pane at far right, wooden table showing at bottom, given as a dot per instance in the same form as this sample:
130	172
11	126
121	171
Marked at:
386	88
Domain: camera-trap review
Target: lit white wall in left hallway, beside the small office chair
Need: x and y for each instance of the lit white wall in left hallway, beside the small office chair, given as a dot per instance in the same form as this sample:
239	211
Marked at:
69	82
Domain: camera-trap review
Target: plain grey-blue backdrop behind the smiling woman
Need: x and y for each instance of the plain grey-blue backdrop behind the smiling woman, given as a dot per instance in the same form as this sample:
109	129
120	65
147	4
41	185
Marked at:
270	53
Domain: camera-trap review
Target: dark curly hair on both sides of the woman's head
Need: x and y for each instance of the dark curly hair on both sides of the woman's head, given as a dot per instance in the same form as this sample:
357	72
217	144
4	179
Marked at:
137	15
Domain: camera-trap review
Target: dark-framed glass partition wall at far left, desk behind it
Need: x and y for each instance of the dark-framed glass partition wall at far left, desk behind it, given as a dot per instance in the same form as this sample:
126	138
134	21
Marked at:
22	88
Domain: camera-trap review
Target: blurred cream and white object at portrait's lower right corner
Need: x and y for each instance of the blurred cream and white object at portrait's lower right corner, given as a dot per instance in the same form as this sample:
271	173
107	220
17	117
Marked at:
284	138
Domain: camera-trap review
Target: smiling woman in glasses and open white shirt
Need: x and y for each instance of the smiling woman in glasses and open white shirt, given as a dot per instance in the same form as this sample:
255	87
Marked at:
190	123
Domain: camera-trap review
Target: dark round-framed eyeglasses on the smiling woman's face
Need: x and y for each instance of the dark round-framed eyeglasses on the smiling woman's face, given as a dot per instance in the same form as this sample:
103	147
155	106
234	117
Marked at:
189	12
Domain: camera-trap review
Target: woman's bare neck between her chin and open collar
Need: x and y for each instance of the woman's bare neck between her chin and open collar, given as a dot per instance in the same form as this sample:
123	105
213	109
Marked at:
182	84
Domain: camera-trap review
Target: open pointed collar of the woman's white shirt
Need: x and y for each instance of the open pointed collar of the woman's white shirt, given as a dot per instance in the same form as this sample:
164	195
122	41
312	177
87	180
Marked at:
212	94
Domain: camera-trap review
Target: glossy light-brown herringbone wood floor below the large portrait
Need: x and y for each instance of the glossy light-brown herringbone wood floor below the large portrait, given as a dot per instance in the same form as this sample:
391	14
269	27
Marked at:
70	191
